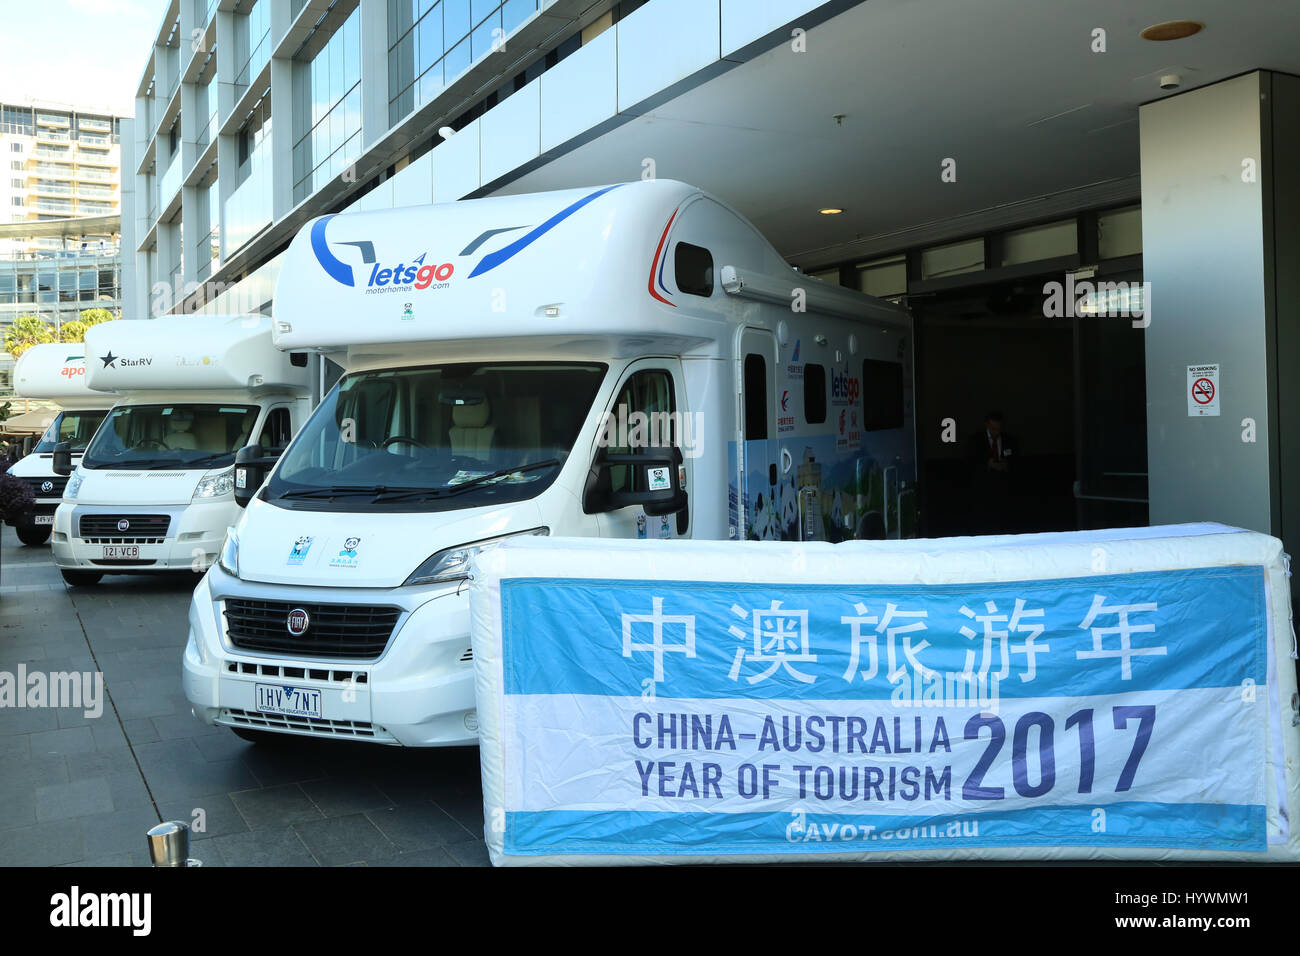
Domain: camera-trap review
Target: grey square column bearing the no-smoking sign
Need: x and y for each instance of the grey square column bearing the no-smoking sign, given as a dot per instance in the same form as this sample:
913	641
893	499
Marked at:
1221	236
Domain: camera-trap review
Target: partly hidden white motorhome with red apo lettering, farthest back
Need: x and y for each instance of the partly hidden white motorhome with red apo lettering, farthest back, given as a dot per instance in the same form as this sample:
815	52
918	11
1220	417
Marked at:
55	373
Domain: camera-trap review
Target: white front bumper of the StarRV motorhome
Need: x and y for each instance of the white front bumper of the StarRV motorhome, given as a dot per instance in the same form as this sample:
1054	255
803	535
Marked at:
192	543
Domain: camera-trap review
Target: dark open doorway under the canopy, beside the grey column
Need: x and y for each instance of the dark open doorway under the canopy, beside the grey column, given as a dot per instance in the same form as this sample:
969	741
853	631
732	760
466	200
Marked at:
1072	392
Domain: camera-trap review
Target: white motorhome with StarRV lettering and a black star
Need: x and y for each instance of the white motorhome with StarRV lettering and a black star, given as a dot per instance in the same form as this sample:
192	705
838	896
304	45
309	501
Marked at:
155	488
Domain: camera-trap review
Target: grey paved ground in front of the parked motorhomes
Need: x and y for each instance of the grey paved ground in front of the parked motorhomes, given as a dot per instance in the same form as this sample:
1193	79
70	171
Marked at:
80	790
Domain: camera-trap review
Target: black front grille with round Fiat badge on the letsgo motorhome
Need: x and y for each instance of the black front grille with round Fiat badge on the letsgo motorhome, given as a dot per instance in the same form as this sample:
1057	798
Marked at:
335	630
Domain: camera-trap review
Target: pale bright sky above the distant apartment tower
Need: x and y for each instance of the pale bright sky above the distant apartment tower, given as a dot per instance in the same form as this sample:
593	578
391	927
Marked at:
89	54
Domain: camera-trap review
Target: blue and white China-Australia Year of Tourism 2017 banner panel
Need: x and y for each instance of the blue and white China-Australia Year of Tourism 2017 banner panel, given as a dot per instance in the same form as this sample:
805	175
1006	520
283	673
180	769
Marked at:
714	719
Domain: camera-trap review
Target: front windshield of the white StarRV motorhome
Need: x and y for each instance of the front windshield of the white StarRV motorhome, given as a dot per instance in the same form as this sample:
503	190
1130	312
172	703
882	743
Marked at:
180	436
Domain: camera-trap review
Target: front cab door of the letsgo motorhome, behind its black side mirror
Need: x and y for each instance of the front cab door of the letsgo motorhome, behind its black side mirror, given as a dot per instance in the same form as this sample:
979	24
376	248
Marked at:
647	410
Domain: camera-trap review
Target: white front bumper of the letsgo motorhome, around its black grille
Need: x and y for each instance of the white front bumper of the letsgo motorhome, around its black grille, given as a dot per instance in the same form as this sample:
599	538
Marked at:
419	693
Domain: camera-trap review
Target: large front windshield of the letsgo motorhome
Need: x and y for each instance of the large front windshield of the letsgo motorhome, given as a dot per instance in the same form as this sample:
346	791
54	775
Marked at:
439	436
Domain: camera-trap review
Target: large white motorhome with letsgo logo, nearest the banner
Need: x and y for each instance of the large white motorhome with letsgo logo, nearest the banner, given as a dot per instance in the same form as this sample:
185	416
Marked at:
632	361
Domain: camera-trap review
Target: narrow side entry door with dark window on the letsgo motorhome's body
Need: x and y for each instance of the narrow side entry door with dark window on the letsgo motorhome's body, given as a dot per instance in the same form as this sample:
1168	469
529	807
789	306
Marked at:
769	511
